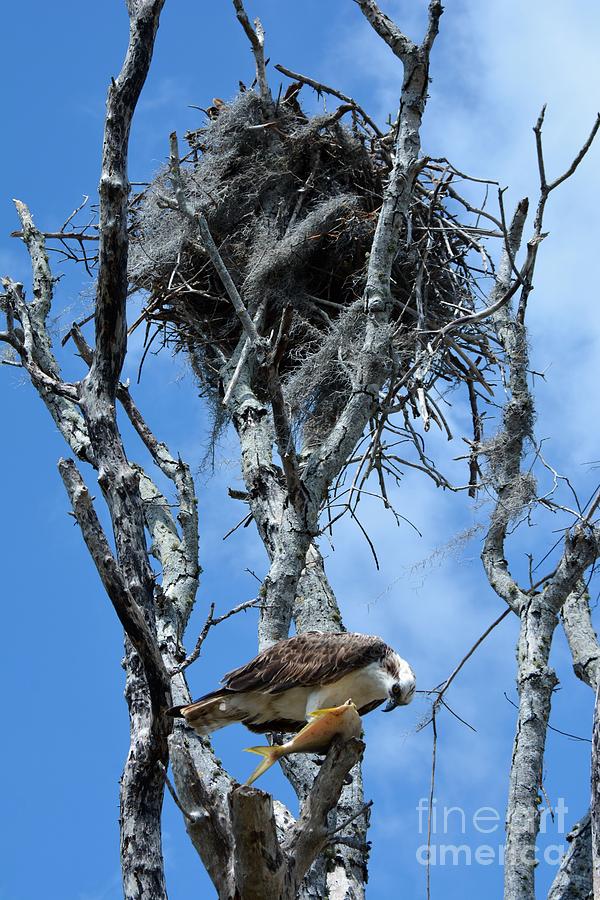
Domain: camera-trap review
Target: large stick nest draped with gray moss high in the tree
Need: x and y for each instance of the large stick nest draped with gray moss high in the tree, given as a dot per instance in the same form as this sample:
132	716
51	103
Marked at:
292	203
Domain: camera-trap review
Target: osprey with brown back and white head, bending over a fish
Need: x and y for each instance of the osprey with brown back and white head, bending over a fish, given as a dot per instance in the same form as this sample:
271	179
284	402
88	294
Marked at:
280	688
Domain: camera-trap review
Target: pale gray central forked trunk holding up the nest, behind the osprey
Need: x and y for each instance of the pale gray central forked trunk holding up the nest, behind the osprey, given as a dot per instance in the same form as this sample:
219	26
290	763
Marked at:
295	582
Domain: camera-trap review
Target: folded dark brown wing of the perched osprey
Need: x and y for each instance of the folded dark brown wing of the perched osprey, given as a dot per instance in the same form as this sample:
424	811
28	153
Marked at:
310	658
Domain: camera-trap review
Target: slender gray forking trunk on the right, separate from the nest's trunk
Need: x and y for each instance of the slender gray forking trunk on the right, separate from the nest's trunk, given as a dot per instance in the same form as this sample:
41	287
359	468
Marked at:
515	492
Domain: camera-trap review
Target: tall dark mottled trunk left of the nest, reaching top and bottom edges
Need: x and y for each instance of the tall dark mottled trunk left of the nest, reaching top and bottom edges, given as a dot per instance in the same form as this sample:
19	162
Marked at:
142	782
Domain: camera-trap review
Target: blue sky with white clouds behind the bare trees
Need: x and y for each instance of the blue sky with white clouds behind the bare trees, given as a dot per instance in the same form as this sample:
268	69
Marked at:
493	67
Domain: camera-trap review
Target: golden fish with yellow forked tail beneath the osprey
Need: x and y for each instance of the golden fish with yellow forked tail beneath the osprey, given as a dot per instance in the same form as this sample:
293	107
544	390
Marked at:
316	737
